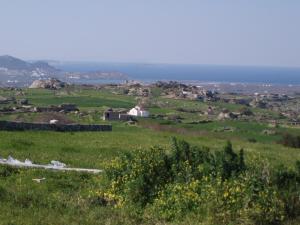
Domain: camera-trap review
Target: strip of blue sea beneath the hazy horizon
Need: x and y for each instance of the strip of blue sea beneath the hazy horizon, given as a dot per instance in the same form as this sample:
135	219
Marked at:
205	73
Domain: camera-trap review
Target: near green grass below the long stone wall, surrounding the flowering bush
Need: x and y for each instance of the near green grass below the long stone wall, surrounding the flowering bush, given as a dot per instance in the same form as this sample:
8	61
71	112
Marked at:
64	196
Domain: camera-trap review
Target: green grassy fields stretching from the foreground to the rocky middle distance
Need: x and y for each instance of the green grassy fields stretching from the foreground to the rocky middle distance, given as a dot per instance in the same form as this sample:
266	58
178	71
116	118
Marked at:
64	197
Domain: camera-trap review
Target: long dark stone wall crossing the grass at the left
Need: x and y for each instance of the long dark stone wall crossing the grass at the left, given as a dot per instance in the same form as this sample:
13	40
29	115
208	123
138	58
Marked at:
20	126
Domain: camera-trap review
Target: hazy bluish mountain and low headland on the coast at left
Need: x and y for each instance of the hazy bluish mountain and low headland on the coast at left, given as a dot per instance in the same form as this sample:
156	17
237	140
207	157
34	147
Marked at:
17	72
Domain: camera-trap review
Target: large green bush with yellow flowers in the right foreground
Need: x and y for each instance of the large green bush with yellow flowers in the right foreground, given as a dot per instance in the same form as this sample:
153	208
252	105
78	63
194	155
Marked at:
171	184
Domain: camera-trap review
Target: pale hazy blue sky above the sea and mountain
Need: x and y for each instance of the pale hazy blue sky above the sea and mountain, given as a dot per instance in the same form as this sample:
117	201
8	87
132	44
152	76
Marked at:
236	32
